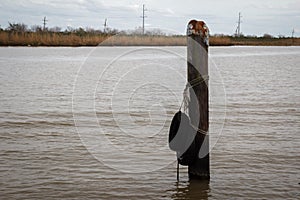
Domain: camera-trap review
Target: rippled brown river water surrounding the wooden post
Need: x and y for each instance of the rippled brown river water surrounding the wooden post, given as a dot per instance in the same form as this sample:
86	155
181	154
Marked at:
79	123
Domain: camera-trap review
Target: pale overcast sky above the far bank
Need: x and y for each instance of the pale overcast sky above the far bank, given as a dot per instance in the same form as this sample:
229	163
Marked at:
276	17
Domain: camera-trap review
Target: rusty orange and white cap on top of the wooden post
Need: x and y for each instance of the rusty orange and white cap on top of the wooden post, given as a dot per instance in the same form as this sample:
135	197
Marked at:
198	28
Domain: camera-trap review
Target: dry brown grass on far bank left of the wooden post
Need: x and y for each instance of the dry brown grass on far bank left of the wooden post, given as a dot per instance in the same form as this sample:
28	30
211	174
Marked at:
60	39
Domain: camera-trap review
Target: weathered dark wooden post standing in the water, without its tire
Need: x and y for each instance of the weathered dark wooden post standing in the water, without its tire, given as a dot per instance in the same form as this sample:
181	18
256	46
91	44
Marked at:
197	61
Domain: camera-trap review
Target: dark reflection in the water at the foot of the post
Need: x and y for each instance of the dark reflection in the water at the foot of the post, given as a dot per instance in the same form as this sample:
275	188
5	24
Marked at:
192	189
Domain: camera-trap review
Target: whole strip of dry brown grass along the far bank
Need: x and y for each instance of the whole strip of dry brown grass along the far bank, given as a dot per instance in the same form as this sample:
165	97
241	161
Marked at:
72	39
